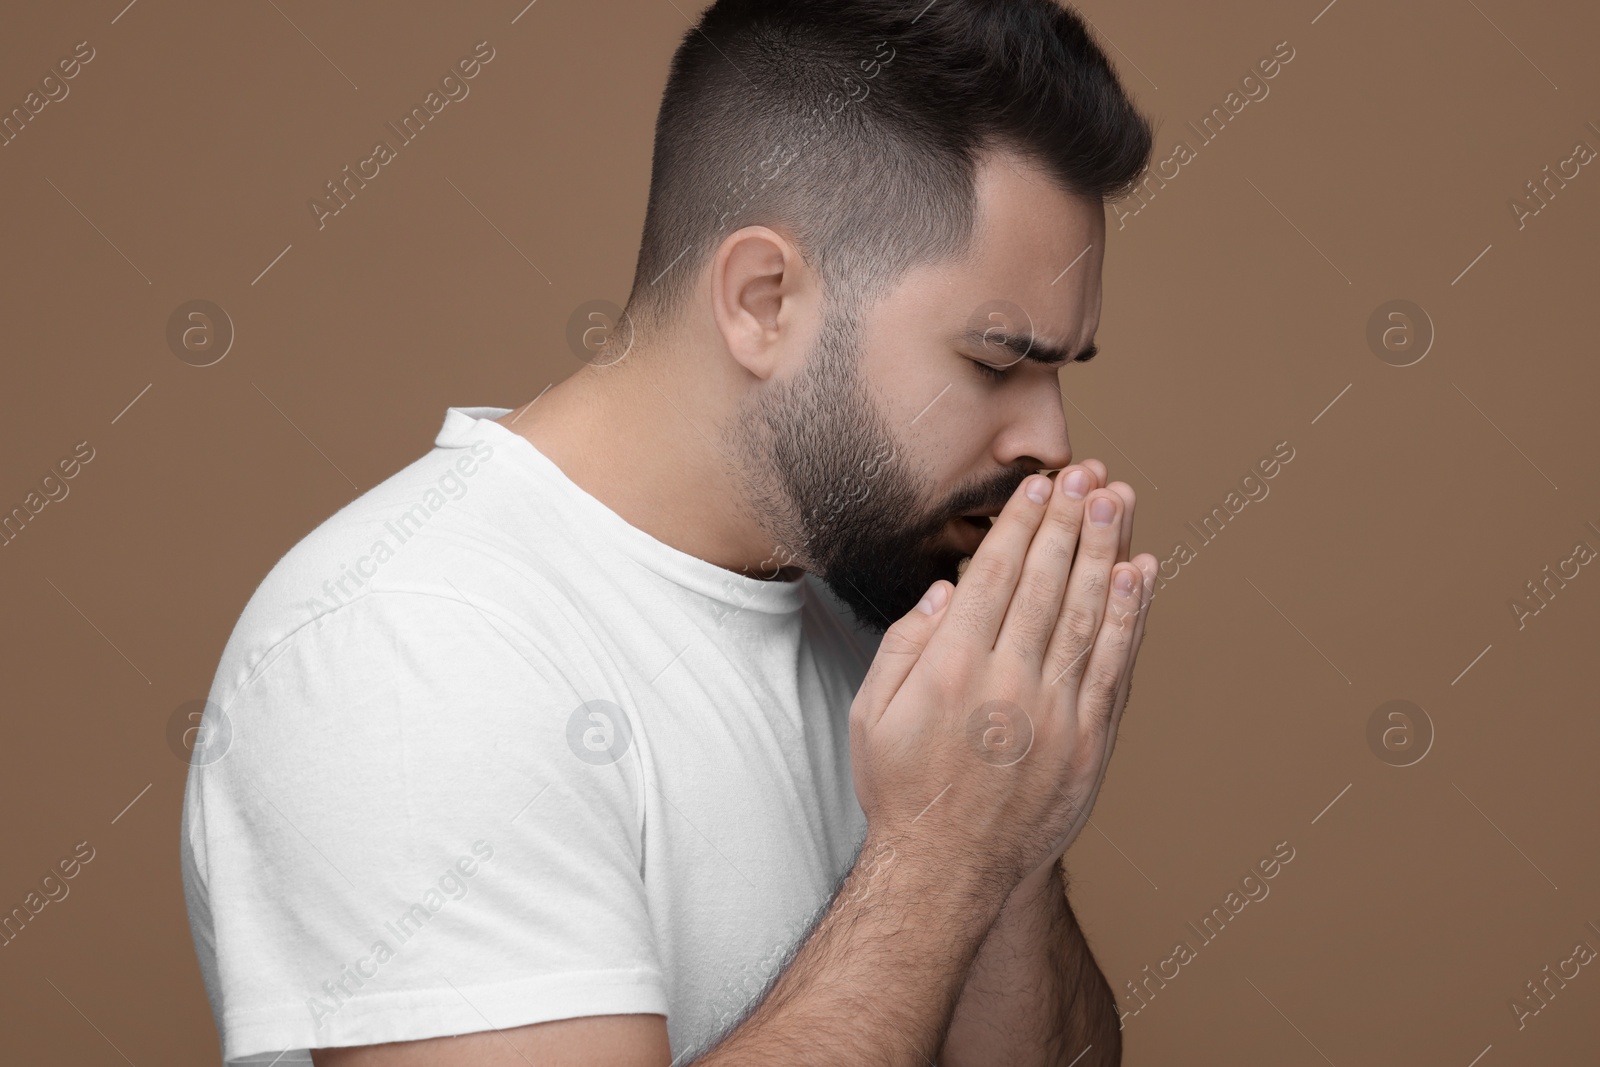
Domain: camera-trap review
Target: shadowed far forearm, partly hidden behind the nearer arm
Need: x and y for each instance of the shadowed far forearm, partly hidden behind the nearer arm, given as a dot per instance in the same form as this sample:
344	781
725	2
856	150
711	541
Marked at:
1034	996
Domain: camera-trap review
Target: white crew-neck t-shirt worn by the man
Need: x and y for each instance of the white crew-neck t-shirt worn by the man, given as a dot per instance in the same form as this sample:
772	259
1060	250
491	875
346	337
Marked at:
481	754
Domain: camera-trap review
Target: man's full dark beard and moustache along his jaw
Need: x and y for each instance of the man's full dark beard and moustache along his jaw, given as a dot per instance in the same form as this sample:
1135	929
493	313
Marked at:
830	482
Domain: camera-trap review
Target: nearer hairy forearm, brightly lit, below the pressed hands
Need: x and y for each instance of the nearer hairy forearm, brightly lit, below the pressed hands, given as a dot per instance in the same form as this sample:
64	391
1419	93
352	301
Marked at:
878	980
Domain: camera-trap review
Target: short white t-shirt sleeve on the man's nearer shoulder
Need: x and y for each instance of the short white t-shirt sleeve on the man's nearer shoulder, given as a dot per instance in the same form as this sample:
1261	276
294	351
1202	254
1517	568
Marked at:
415	829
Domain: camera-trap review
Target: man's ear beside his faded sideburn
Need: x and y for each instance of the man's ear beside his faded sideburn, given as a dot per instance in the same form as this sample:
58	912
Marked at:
764	300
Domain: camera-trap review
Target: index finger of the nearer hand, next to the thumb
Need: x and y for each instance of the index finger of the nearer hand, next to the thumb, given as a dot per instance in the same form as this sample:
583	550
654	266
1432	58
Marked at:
985	591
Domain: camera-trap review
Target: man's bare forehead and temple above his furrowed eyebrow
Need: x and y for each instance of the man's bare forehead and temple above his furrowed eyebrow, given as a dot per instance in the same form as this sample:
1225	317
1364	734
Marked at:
1034	263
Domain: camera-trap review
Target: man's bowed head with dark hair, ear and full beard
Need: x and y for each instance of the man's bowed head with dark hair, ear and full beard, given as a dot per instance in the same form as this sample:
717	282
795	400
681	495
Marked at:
855	210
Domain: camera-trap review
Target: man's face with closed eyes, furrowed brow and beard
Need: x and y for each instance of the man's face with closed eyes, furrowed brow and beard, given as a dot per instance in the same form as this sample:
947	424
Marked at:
895	430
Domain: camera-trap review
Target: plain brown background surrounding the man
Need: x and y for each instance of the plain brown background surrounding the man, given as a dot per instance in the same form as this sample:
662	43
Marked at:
1380	567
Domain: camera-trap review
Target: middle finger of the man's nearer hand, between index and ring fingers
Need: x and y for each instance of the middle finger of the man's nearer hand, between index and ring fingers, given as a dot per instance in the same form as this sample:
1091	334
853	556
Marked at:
1031	618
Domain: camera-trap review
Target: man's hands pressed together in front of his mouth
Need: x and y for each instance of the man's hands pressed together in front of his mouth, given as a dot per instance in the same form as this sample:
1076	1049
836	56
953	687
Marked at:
983	730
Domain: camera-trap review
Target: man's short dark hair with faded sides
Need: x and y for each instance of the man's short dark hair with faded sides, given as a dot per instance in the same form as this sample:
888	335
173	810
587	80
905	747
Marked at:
855	127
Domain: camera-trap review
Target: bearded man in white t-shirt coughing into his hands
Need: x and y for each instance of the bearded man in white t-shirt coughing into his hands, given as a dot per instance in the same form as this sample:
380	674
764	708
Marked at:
642	724
